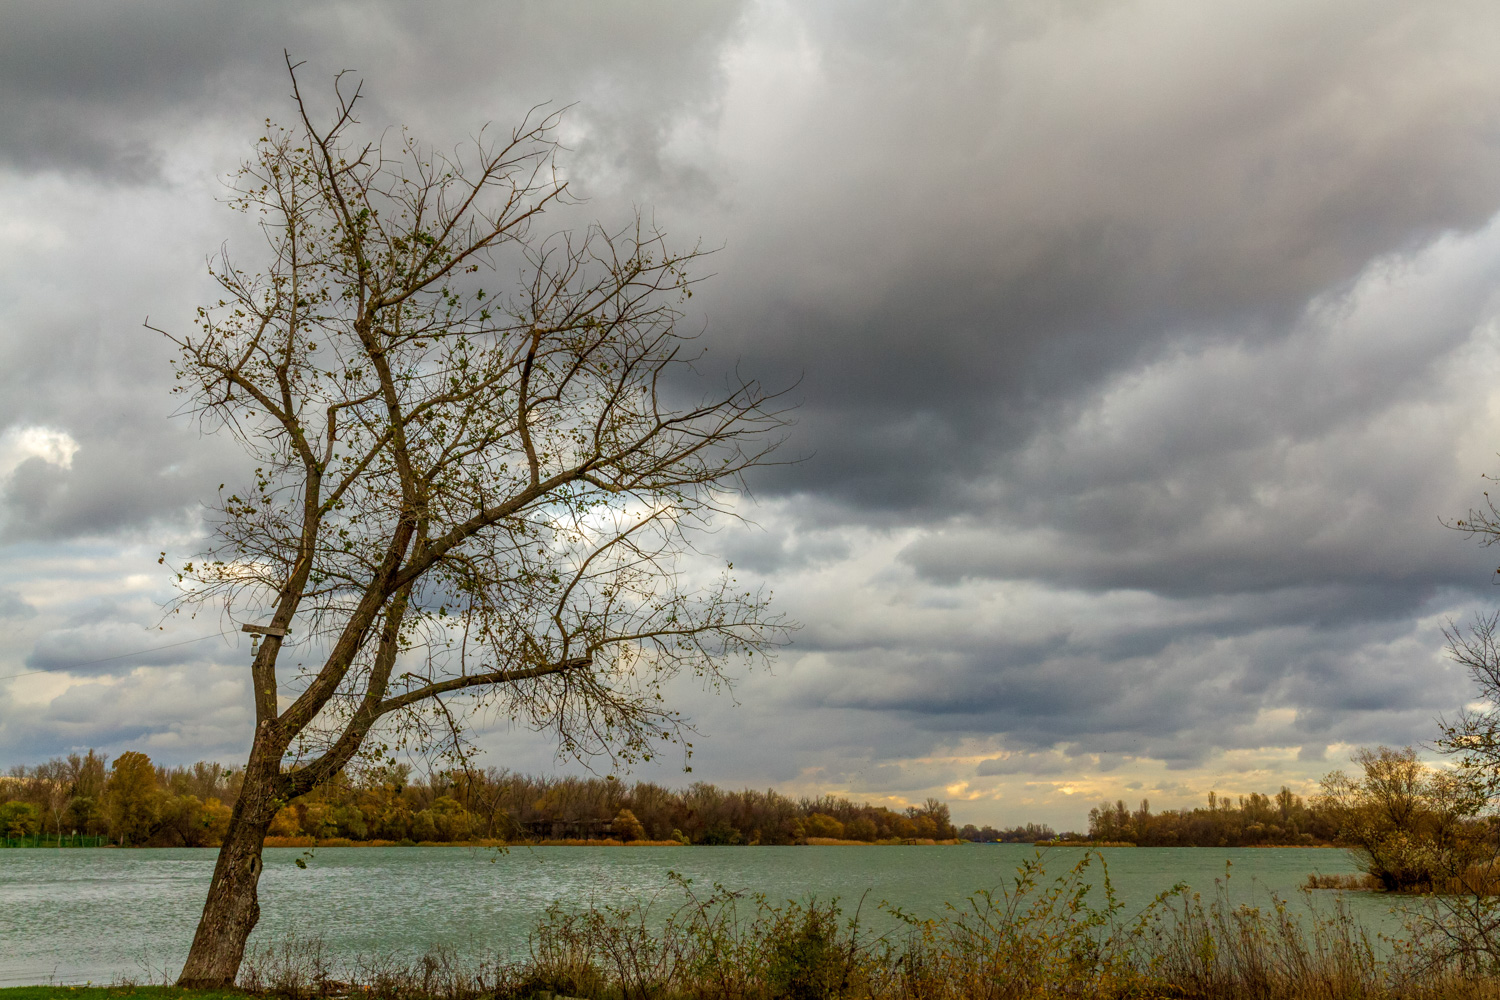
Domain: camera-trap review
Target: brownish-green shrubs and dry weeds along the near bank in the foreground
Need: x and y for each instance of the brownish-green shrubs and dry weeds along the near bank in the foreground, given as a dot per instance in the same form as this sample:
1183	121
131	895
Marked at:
1037	938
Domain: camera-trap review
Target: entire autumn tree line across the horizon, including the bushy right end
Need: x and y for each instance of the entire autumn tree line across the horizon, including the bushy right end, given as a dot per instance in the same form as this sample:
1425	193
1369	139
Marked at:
137	803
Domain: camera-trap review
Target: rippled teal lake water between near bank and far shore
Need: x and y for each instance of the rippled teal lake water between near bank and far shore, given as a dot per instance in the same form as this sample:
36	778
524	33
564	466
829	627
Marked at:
103	915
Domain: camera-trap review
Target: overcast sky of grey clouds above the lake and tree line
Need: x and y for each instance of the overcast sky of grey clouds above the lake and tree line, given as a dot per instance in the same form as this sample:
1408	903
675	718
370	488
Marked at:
1144	350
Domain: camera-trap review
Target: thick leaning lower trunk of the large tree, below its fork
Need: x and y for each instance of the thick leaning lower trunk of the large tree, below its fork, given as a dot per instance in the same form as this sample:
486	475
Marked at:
233	906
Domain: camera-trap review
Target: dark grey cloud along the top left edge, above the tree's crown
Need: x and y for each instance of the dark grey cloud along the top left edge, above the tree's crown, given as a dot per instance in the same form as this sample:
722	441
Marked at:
107	91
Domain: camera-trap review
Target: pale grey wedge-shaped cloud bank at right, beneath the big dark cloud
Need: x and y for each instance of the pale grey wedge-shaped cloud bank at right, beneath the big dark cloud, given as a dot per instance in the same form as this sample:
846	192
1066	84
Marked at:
1322	458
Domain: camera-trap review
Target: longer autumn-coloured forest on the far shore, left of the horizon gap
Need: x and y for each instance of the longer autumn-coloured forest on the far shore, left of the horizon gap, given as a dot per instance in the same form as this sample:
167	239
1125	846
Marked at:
136	803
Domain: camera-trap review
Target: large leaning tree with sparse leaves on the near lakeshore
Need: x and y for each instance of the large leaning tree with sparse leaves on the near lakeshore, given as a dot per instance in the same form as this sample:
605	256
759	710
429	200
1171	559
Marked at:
461	499
